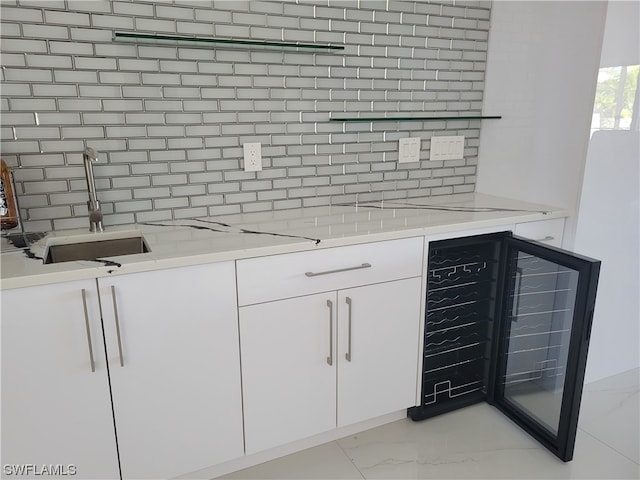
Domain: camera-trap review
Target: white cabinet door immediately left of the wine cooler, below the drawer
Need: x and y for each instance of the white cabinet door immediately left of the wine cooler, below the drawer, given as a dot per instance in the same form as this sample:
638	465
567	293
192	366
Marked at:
378	338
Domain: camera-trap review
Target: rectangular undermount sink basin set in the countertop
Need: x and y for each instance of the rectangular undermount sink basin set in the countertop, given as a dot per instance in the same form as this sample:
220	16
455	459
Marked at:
95	249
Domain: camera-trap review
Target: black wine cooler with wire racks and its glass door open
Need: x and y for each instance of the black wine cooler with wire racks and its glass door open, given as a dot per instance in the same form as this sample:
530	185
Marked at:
508	322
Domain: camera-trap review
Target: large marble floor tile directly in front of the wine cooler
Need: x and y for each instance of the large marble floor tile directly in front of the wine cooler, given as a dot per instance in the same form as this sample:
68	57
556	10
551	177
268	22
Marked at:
476	442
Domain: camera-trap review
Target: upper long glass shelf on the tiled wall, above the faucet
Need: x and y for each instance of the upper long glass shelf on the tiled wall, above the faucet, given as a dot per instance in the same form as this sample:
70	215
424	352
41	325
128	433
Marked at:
212	42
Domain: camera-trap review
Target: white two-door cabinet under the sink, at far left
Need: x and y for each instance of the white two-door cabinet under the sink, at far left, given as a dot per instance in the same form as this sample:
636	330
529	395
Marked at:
171	343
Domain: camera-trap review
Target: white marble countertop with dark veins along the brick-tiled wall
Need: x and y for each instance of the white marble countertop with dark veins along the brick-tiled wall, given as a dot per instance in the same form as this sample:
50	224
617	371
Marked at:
231	237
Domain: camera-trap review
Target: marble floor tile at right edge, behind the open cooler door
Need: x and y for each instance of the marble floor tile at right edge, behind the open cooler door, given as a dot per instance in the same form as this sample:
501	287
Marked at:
610	412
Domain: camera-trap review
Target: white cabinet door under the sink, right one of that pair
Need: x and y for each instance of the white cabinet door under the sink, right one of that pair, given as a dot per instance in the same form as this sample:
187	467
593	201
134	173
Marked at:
175	372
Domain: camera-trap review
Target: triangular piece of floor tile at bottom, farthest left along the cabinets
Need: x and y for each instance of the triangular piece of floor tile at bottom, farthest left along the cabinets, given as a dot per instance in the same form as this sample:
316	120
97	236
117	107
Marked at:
326	461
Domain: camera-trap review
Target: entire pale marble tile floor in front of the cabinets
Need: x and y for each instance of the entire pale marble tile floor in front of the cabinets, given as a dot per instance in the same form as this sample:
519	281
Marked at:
479	442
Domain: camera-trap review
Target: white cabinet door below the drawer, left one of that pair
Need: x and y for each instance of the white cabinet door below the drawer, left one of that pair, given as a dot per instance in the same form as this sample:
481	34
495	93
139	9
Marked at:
288	369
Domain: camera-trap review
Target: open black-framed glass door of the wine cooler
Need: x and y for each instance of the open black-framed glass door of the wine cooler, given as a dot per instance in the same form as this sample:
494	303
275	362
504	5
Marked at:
543	341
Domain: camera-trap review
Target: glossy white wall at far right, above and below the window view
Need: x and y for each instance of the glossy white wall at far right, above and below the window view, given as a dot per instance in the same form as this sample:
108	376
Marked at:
609	217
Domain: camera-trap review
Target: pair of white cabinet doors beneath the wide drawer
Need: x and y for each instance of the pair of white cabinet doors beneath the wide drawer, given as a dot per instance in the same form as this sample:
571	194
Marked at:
317	362
